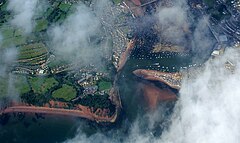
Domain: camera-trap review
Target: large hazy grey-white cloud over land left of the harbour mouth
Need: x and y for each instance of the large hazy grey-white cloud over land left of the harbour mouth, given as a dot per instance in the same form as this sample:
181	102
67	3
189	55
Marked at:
71	40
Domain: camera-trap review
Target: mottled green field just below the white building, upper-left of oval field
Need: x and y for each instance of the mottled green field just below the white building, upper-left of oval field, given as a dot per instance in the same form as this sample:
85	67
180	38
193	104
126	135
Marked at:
42	85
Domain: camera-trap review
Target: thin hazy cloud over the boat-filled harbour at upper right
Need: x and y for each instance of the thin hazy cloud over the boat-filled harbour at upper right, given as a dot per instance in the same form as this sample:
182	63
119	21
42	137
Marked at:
178	27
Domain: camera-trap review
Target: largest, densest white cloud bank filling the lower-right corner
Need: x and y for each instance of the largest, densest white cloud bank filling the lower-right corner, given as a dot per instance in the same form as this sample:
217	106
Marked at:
208	111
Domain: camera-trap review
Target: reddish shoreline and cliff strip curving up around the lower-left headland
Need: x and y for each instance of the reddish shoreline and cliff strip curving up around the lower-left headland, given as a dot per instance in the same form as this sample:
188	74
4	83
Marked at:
99	115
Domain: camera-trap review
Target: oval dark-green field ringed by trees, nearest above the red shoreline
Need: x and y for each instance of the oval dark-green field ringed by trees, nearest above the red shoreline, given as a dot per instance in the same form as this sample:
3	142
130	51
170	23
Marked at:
66	92
